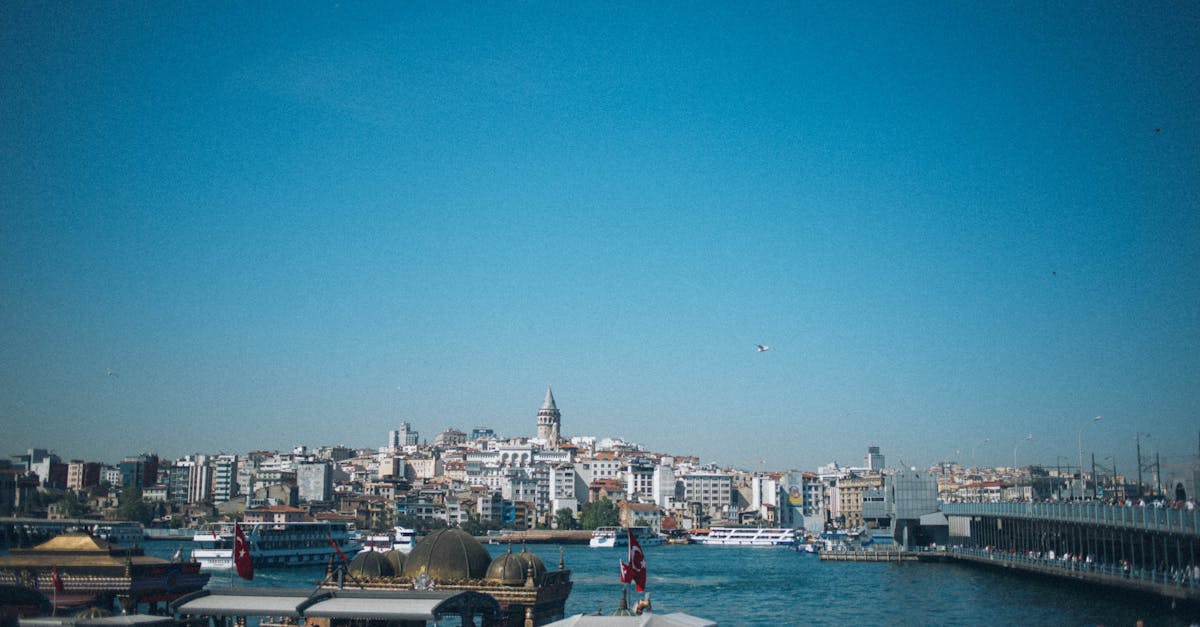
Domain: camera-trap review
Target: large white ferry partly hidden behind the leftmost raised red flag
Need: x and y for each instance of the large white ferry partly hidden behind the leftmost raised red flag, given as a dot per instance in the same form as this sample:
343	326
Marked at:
277	545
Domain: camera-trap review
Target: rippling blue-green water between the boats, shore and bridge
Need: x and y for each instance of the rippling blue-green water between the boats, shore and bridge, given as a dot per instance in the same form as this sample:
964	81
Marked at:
745	586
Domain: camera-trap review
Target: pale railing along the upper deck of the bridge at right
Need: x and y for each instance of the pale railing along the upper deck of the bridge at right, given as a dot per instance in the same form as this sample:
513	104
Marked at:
1148	518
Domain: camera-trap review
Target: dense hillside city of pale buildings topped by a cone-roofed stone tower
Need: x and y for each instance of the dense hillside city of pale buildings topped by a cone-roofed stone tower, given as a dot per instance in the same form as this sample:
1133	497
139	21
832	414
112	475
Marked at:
483	482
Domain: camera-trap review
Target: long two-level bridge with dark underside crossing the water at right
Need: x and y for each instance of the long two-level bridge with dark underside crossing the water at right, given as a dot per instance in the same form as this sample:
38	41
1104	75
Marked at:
1148	550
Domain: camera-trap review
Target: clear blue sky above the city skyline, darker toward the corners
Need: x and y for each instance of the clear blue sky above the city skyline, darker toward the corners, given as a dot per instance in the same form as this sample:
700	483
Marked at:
286	224
